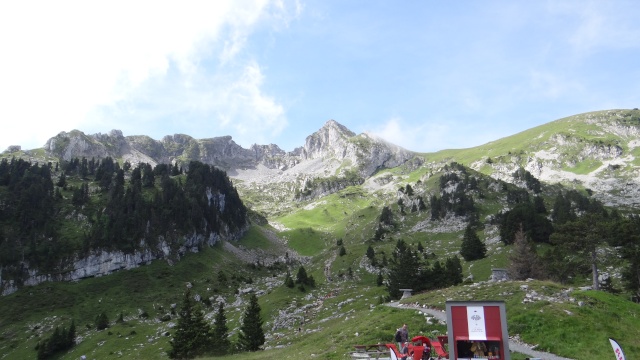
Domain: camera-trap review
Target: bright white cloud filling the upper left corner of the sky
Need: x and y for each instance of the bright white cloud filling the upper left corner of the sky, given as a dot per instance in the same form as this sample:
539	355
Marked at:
63	61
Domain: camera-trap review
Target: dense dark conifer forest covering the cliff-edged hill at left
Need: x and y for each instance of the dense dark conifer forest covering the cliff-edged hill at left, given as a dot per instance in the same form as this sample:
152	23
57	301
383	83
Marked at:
49	213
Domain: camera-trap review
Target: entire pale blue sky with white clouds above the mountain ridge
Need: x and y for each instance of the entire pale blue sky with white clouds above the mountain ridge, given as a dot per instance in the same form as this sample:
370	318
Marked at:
425	75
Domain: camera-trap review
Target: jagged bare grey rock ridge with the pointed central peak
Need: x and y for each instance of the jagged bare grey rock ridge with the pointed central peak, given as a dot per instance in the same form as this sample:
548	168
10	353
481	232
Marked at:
333	142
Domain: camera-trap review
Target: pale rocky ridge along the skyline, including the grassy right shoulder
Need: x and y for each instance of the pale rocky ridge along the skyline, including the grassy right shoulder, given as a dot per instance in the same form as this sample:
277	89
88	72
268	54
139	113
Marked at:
595	151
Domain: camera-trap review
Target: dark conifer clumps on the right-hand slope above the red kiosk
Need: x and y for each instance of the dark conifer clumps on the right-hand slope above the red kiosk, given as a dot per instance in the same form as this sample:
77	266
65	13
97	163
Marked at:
573	233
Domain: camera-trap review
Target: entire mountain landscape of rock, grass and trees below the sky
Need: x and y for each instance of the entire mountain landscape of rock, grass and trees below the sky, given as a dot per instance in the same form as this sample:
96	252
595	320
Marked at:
129	247
